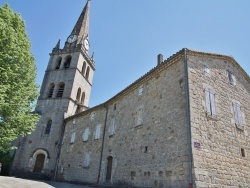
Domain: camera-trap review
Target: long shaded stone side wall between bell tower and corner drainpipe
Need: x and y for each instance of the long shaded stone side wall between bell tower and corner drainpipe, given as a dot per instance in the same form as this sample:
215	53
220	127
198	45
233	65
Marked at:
149	142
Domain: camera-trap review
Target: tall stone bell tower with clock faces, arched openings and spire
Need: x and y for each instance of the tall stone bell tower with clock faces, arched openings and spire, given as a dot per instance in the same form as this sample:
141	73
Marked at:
65	91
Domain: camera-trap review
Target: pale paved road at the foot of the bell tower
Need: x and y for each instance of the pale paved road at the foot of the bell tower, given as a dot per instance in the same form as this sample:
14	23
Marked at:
11	182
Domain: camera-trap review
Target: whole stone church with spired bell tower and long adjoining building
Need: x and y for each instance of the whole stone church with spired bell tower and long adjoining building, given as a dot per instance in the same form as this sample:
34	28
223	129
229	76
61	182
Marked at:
185	123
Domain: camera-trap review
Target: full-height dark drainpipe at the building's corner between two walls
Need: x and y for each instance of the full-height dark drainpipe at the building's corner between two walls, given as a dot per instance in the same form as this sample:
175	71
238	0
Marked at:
188	120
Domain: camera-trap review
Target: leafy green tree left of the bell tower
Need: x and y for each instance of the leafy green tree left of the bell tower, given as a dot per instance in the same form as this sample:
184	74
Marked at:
17	79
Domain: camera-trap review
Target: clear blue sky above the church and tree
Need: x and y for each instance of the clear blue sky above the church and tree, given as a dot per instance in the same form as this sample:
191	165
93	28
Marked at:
126	36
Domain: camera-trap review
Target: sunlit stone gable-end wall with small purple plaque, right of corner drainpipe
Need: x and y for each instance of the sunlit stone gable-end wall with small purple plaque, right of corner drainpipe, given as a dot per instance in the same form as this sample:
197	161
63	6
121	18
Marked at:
217	142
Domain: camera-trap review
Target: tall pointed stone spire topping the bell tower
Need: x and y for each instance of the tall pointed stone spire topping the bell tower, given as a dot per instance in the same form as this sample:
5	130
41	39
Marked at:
81	28
